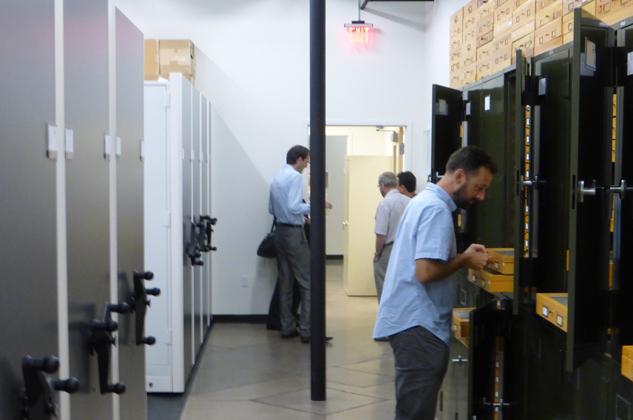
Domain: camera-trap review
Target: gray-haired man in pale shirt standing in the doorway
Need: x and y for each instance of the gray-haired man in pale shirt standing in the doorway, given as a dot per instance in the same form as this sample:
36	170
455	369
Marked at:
388	216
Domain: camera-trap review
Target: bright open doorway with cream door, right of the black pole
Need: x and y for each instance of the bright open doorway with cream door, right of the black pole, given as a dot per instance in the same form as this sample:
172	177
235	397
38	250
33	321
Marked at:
355	157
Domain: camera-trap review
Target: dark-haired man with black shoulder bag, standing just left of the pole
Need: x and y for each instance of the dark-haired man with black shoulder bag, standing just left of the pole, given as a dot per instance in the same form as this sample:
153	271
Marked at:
286	204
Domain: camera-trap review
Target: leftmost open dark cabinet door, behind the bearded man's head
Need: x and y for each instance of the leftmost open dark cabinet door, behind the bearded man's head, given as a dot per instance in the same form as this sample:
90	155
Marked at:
448	111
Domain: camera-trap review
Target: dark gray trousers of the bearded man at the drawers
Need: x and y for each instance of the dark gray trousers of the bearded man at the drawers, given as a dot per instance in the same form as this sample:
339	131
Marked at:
421	362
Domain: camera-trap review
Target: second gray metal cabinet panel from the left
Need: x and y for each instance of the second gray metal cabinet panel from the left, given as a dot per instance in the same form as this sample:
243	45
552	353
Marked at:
87	185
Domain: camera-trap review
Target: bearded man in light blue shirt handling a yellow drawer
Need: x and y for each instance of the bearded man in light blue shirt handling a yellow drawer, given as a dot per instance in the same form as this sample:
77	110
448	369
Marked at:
417	299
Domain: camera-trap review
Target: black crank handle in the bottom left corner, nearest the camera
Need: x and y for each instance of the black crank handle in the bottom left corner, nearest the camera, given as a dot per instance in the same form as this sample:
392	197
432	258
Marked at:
37	397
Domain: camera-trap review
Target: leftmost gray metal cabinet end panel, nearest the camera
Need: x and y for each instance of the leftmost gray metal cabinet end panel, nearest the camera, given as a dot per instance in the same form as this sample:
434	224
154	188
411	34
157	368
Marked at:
28	259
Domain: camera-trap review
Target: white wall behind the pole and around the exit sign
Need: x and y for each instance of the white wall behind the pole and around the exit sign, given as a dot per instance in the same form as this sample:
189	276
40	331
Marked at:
256	72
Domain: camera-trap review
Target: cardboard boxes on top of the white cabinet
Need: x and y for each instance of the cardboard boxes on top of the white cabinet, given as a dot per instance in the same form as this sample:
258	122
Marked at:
166	56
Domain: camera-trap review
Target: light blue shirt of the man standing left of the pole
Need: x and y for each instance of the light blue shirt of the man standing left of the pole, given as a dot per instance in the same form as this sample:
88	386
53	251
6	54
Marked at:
286	197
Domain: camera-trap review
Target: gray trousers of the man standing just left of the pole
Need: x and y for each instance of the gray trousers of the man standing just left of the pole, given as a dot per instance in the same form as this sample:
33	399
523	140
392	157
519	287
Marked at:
294	262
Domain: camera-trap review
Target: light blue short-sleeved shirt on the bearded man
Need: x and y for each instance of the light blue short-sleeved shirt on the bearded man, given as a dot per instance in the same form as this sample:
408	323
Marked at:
426	231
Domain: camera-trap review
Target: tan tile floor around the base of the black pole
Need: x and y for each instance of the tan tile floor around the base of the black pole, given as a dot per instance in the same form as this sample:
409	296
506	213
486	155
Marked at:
248	372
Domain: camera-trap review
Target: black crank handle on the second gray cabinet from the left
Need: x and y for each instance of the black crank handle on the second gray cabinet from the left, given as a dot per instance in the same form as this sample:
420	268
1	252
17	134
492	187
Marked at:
101	342
